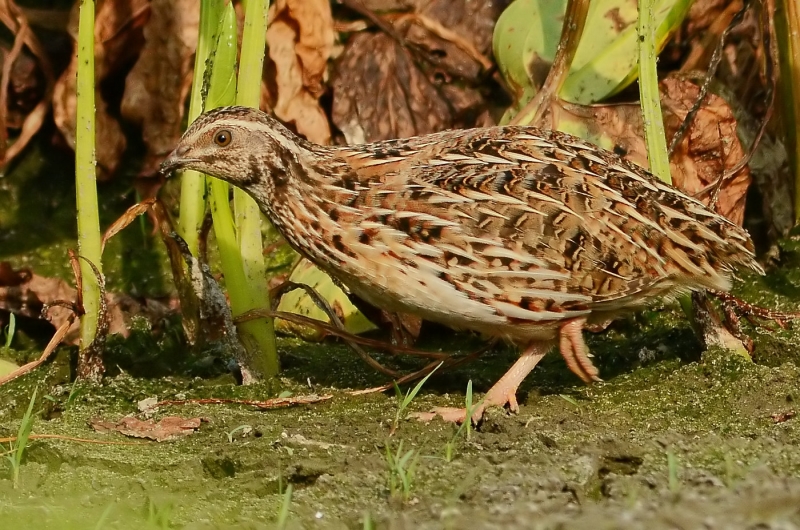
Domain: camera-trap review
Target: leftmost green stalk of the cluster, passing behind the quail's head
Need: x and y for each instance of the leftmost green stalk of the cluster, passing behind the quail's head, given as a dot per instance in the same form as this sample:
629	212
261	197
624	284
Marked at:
193	184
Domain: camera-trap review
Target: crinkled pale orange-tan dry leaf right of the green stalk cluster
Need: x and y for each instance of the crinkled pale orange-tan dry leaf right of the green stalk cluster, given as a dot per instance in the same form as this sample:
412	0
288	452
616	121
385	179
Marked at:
300	40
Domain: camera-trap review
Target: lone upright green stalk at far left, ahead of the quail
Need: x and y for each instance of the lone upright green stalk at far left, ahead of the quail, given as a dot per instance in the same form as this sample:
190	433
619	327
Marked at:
85	176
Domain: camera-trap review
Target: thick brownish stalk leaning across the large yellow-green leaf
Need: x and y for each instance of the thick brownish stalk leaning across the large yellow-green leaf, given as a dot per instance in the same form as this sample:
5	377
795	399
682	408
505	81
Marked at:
534	112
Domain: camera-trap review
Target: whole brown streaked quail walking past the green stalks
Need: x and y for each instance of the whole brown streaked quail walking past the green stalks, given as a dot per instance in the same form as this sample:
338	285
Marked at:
515	232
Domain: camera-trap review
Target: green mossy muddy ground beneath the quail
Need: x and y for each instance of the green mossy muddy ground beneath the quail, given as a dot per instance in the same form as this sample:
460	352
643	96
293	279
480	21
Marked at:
674	438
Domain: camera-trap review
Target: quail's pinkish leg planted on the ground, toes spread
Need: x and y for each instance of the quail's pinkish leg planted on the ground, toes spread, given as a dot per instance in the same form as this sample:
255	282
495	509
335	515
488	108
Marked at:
503	391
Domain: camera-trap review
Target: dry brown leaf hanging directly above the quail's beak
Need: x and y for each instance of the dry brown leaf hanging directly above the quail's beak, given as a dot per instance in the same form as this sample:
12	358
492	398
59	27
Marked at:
157	86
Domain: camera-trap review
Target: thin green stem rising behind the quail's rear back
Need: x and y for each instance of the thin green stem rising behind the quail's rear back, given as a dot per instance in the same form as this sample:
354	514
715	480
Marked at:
649	94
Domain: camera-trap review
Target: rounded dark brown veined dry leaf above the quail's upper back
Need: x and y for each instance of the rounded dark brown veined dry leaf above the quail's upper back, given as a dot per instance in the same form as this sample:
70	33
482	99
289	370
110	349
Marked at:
379	93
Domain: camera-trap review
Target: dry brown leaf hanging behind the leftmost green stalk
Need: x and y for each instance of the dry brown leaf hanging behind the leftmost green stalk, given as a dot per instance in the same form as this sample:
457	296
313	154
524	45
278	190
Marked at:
117	39
